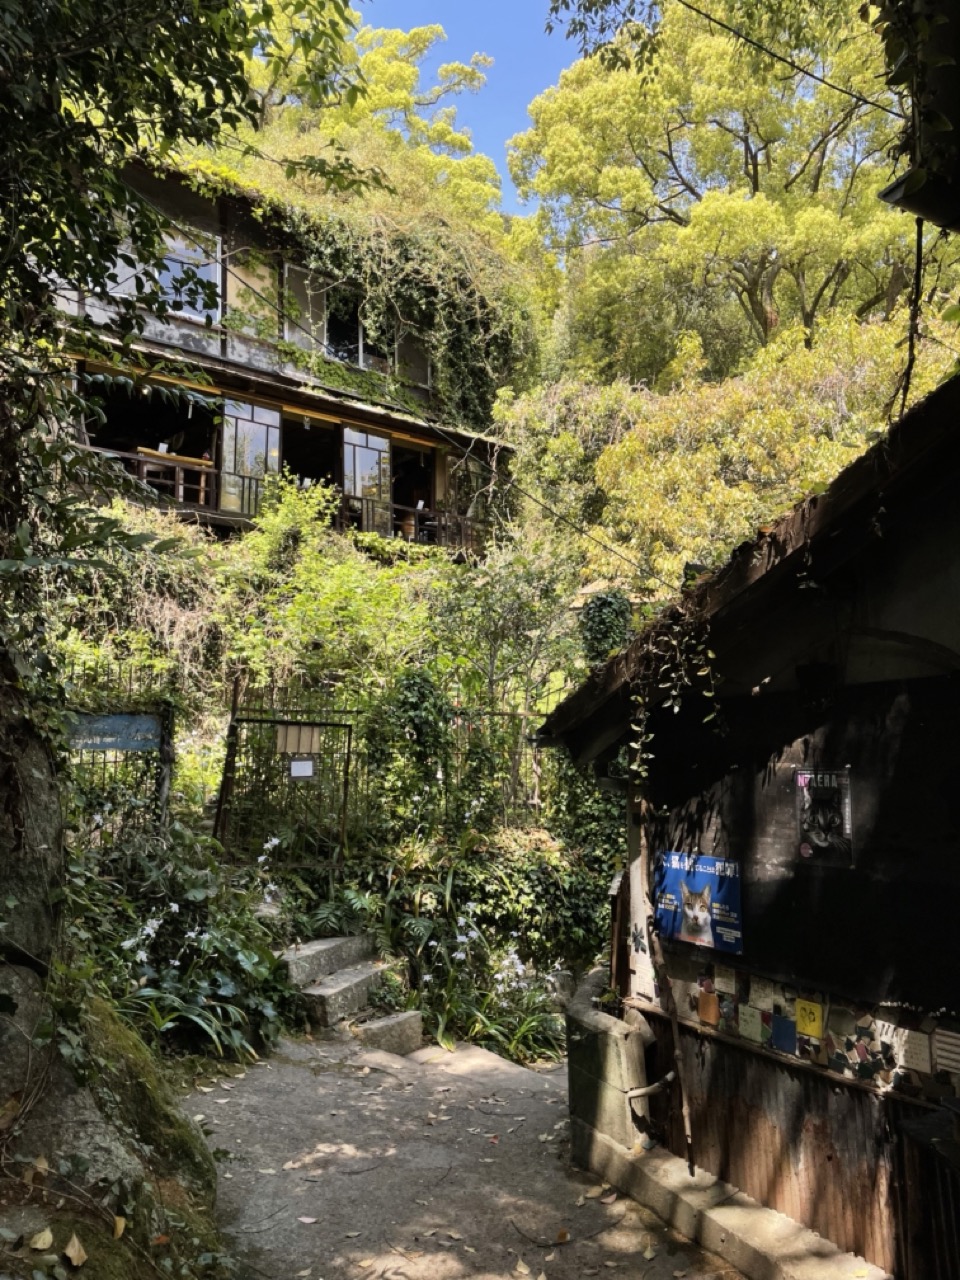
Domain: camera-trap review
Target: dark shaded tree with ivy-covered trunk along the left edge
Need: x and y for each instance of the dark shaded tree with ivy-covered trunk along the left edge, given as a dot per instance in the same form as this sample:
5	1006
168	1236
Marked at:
85	89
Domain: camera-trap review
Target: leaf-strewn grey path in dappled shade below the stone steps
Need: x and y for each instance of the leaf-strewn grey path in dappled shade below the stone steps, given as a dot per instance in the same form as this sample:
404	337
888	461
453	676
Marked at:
351	1165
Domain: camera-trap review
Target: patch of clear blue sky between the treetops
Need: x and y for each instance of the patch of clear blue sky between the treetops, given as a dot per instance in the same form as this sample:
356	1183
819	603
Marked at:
527	61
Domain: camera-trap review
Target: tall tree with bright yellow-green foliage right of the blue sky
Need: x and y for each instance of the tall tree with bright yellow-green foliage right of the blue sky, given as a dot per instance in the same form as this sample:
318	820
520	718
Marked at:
721	180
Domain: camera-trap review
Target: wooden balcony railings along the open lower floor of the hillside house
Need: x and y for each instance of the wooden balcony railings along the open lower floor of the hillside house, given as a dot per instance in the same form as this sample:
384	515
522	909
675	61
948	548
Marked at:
195	484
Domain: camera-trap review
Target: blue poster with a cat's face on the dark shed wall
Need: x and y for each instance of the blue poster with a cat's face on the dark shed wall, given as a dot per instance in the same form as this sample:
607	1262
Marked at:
698	900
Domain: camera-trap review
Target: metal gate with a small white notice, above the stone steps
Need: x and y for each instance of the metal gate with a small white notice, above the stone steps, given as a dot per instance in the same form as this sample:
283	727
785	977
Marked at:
286	789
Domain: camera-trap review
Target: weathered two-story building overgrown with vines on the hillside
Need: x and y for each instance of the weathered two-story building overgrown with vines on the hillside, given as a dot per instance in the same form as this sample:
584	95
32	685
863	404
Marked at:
278	374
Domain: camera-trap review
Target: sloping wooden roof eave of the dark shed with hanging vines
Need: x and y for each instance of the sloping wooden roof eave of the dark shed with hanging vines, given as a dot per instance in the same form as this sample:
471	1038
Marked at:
596	717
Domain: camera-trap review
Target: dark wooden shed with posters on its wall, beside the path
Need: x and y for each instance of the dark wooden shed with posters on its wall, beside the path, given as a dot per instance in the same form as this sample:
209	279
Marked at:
792	918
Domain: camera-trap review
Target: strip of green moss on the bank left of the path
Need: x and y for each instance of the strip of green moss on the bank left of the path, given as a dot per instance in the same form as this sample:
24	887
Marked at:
134	1080
